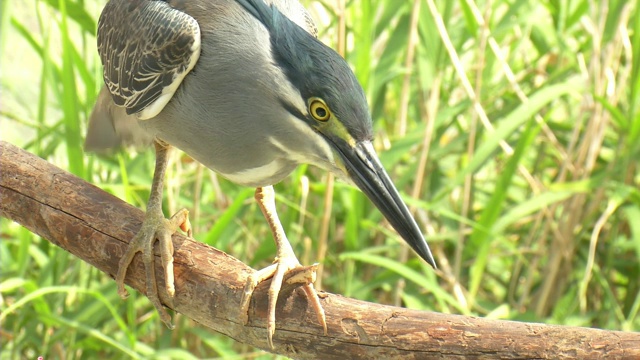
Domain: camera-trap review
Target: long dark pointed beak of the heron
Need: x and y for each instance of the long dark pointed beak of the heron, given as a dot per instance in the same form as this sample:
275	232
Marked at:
364	168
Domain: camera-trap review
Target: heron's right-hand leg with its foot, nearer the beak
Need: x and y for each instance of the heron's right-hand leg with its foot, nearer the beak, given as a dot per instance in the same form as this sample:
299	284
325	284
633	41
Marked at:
285	261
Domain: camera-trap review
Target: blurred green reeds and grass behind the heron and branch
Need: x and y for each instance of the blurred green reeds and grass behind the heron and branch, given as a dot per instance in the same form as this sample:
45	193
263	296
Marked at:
511	127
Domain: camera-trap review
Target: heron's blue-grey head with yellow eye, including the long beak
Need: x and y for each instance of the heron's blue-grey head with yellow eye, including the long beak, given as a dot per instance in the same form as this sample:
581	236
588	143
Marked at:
337	110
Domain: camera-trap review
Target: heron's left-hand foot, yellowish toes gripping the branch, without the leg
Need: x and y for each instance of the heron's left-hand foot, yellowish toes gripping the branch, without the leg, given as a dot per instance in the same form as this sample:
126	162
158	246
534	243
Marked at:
155	226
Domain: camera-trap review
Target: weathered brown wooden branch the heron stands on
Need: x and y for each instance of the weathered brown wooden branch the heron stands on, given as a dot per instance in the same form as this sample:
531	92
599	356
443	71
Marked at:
96	226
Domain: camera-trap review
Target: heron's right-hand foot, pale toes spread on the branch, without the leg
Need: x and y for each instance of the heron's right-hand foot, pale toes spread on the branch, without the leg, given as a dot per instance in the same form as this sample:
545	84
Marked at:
277	271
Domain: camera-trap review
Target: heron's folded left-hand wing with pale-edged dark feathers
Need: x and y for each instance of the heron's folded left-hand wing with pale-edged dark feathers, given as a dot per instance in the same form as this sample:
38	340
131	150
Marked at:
146	48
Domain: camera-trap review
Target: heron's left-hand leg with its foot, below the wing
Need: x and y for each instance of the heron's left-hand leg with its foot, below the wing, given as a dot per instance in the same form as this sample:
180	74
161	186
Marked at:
155	226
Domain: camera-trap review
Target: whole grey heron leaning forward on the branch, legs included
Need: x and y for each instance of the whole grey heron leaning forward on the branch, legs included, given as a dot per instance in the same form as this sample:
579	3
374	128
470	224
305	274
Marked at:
247	89
